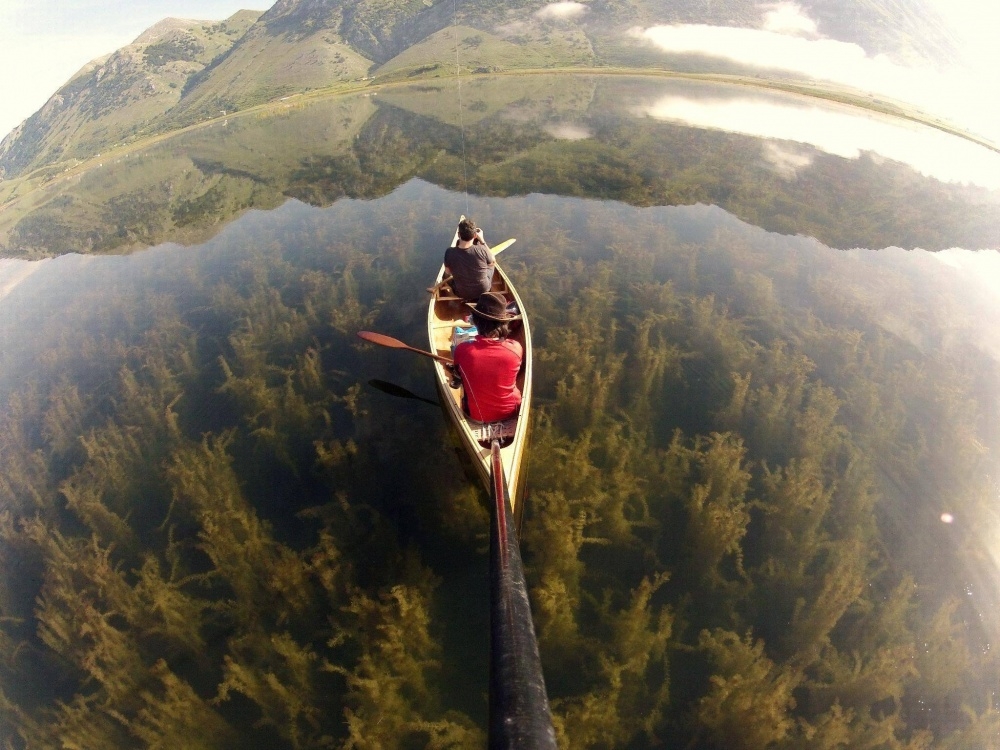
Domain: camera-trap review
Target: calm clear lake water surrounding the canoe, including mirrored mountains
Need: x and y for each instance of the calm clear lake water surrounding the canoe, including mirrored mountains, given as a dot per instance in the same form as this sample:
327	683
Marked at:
763	474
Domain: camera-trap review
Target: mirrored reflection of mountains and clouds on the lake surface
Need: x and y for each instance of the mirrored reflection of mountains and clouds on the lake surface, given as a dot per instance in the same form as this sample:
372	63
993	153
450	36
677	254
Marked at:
787	164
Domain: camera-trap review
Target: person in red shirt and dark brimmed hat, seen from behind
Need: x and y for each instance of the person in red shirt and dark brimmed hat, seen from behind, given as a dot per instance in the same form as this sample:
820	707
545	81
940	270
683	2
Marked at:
488	365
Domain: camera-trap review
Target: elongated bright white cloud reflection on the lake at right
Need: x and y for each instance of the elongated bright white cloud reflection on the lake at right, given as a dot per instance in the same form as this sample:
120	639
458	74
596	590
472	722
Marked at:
841	131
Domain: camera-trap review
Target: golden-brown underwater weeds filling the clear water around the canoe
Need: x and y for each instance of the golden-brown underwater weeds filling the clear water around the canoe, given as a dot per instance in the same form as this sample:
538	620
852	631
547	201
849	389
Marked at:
215	535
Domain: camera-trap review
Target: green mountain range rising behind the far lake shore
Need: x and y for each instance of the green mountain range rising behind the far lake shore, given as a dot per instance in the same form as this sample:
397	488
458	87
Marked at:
179	72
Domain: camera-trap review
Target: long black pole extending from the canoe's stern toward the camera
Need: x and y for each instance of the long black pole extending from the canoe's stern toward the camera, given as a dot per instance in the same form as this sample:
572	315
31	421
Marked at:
519	706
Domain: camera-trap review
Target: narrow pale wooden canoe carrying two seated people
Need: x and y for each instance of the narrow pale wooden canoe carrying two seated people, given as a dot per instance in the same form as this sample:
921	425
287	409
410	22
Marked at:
446	315
